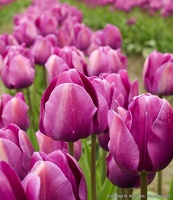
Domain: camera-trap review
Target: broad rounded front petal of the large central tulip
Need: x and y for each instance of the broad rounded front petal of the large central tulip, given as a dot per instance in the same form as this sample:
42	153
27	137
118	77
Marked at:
68	107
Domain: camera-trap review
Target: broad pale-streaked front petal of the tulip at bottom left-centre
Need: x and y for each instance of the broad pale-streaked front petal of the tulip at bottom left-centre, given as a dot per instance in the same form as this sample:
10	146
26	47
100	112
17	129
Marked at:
54	185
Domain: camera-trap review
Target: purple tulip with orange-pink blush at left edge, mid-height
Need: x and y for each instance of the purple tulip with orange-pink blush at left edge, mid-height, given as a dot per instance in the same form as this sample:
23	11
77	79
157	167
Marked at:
14	110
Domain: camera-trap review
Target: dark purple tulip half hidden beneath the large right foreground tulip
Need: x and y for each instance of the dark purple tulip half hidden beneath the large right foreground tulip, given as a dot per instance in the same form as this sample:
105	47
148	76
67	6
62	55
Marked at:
121	178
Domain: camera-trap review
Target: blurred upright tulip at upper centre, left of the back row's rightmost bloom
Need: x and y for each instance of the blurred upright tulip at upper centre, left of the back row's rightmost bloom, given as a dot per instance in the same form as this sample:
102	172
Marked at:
82	36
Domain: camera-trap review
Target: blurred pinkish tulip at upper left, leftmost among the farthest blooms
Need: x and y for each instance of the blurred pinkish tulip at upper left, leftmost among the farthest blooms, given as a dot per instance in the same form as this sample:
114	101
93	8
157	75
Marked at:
25	31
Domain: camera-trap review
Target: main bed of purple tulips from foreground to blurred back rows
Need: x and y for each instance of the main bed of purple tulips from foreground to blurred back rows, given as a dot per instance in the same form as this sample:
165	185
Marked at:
89	96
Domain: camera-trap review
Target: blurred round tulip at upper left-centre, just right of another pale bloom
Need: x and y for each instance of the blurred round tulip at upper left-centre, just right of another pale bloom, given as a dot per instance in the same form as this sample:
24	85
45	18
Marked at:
47	23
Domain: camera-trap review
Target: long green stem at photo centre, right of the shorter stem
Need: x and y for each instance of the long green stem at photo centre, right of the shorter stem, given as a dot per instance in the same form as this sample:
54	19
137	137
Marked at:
93	166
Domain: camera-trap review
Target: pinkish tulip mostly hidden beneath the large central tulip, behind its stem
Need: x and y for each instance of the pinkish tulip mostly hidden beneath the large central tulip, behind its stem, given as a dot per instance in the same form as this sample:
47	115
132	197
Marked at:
48	145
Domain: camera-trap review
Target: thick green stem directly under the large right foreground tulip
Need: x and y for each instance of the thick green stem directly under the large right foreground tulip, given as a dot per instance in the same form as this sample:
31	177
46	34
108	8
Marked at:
143	179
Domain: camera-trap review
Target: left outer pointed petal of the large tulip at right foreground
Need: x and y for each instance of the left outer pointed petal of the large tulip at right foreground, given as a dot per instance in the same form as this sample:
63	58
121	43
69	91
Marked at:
120	139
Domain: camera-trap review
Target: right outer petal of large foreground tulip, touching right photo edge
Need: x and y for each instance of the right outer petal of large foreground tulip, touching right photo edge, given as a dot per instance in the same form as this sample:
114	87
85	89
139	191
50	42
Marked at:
160	144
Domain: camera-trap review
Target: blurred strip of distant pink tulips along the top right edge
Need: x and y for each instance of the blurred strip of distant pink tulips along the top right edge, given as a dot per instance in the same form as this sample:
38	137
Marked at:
164	7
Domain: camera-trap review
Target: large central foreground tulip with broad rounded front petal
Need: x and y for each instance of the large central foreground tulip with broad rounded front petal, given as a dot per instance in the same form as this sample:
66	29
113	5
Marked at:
71	100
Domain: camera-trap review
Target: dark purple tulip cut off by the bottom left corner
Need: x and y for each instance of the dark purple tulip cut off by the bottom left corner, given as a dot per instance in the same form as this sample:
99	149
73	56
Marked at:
10	185
